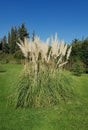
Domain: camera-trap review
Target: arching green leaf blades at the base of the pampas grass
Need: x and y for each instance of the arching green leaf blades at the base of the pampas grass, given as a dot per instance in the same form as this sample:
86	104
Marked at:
52	87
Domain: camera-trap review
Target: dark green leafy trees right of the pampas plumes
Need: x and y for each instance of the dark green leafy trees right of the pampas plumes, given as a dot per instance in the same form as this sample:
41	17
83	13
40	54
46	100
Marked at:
79	53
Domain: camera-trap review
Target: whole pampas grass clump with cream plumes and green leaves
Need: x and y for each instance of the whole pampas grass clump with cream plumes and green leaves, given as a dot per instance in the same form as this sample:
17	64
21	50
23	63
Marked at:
42	82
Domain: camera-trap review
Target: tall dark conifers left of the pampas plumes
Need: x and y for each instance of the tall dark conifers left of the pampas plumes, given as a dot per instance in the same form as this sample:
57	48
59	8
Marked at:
8	44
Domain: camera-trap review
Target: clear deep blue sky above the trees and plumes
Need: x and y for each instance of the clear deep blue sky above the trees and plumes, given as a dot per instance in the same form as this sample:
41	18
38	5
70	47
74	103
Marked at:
69	18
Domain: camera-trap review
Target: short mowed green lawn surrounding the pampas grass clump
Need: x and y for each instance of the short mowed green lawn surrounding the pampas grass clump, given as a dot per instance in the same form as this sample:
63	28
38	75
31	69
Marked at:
72	115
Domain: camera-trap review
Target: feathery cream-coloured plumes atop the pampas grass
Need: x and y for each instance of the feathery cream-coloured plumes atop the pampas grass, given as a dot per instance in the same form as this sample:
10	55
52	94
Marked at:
32	49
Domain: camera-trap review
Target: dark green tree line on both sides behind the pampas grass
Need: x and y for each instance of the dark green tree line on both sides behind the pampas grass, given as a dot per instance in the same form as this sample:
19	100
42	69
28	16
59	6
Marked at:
78	58
